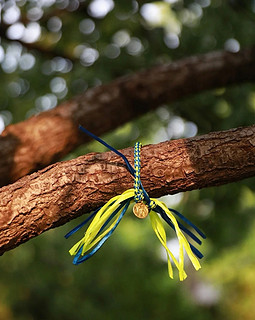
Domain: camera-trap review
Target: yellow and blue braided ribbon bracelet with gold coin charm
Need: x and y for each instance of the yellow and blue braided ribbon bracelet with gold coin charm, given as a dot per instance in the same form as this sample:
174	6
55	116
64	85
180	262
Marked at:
106	219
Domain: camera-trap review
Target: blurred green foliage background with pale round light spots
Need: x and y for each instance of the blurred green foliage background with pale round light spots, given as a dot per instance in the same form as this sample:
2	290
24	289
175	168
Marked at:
51	50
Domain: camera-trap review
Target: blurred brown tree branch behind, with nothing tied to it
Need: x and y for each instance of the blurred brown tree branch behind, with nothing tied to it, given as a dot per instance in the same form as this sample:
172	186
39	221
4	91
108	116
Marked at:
43	139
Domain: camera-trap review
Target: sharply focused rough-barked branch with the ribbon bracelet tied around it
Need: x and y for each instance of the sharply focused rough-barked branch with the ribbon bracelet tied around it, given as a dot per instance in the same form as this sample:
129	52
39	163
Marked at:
65	190
